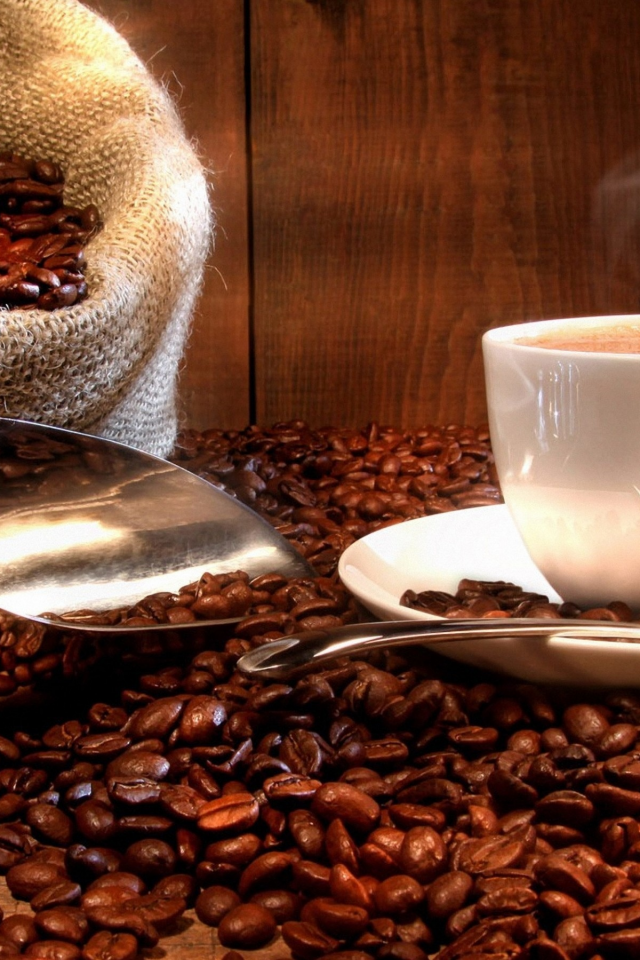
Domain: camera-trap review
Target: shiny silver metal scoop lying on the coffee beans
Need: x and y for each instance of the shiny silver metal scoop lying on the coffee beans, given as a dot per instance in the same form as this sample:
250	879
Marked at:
88	523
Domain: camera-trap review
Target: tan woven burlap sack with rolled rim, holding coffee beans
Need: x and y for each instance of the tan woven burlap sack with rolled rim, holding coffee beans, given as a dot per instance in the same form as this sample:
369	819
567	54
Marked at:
72	91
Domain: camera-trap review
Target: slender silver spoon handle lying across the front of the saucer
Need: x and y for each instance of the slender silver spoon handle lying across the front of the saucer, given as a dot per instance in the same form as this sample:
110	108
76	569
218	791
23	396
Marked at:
299	653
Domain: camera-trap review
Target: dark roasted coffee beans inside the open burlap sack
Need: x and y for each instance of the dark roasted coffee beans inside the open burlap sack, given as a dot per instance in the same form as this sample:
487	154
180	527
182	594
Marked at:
42	240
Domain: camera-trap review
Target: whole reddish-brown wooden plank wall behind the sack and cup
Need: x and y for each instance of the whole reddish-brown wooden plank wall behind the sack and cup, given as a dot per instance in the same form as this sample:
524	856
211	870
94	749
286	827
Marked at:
415	171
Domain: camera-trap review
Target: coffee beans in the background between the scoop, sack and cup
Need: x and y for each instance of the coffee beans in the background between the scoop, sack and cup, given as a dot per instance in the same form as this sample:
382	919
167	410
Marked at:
325	488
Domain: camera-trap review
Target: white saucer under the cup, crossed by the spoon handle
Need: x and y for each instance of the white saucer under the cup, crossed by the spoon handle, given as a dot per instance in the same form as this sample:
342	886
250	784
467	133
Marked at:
436	552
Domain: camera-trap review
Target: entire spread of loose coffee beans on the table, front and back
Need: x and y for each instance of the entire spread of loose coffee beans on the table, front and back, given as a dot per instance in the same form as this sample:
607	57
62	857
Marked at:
394	807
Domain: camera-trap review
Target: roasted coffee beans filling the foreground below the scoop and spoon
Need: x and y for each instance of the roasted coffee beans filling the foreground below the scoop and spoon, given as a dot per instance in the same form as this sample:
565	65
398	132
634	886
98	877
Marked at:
368	810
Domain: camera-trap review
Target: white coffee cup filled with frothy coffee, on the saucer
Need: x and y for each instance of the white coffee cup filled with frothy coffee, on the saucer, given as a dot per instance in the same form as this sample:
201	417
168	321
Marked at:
565	430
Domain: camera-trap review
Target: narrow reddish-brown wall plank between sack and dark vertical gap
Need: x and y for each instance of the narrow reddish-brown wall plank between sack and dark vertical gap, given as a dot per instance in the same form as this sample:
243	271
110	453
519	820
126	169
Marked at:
196	49
